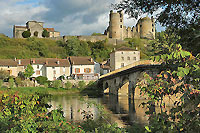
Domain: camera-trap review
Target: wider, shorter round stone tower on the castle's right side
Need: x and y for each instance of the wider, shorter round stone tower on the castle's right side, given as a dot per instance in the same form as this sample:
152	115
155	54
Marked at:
146	28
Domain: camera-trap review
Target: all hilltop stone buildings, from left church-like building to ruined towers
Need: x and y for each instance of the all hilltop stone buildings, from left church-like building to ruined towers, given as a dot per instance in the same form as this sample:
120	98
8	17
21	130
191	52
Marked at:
115	33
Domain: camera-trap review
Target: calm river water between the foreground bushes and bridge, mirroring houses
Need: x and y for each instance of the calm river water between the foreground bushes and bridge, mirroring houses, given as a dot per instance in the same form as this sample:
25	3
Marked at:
121	109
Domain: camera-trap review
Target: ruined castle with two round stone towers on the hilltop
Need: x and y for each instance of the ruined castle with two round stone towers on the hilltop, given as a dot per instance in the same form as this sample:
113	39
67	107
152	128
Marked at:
145	28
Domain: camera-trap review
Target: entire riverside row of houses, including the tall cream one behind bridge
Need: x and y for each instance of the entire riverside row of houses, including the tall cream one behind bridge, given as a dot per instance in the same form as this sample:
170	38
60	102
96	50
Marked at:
83	68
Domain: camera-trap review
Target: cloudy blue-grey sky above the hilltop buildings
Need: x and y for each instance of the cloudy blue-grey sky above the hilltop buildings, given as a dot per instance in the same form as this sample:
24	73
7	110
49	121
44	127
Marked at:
70	17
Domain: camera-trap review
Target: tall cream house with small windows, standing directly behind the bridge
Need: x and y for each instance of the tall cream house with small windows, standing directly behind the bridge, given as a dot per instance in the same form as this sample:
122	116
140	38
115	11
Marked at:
123	57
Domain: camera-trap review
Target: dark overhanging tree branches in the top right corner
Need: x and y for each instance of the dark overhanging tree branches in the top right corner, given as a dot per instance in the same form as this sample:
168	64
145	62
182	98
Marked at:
181	16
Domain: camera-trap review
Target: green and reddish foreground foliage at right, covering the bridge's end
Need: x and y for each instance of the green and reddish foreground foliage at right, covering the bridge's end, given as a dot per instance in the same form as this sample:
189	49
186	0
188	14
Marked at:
180	77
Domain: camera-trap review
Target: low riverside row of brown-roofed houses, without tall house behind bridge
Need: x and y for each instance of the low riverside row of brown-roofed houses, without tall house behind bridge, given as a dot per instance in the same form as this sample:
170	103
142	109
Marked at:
83	68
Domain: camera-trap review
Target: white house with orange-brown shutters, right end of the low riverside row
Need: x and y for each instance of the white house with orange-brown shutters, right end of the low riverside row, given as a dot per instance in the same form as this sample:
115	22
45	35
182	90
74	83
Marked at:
83	68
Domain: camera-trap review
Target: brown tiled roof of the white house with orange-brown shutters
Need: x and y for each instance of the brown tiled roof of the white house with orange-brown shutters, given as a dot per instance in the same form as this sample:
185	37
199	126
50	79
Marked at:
75	60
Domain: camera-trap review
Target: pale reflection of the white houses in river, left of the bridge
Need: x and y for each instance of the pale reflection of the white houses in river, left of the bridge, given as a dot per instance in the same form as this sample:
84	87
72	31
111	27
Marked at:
73	106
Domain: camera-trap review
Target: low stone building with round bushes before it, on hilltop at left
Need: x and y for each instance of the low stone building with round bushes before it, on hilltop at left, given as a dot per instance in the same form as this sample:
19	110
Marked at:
36	29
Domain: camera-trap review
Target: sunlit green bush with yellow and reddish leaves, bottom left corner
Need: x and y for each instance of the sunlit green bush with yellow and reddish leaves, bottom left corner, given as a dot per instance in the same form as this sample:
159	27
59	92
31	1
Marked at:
28	113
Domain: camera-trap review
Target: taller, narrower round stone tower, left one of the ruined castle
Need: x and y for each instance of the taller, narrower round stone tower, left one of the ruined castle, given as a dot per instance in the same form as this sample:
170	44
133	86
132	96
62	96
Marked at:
116	25
